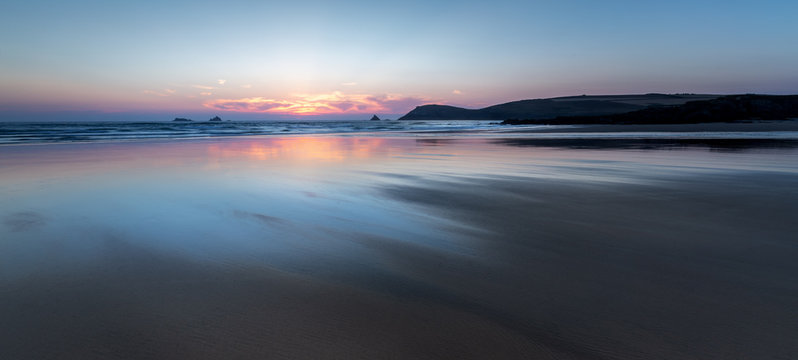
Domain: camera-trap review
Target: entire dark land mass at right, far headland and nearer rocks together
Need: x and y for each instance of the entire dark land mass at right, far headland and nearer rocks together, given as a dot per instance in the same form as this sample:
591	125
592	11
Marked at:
623	109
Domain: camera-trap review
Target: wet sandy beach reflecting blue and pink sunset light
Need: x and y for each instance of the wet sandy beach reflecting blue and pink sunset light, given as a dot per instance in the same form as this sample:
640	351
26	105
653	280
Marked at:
399	247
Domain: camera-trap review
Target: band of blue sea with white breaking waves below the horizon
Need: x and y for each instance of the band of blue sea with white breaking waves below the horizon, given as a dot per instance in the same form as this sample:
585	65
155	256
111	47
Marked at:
102	131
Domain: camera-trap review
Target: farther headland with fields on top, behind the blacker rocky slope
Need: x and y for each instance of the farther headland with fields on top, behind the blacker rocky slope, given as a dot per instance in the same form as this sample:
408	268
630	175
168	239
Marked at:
552	108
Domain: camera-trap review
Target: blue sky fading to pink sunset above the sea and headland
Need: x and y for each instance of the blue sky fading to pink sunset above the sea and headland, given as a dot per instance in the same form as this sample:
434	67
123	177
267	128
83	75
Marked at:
249	60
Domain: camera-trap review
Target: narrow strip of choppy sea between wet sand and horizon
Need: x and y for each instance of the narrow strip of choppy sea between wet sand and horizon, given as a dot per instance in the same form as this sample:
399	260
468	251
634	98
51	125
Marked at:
109	132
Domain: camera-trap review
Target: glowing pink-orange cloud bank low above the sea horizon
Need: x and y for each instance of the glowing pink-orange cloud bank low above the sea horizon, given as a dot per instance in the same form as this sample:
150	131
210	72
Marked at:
320	104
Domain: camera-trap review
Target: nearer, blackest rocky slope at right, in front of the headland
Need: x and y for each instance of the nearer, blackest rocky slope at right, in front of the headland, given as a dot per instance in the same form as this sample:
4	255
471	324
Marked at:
721	109
